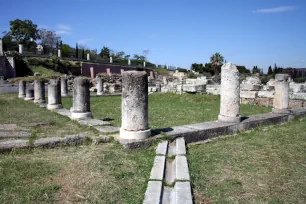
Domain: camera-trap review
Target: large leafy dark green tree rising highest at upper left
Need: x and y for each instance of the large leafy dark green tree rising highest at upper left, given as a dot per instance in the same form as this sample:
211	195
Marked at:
23	31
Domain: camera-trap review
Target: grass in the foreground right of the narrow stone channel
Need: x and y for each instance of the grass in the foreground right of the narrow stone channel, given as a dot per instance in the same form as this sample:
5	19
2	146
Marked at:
266	165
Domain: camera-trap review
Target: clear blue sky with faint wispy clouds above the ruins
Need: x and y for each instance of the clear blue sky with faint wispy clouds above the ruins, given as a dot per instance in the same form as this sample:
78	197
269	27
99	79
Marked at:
177	32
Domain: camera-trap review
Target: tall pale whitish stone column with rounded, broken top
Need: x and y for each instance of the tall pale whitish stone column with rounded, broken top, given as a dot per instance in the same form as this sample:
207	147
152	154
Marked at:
230	94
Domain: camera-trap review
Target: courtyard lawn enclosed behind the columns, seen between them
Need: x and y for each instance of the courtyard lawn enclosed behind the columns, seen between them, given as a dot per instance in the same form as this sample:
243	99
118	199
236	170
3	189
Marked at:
166	110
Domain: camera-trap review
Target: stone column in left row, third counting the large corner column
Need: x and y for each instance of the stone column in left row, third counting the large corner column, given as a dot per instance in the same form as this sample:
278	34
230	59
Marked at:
54	95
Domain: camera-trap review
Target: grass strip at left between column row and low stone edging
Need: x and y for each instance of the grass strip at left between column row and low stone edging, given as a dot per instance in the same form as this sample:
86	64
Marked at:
17	111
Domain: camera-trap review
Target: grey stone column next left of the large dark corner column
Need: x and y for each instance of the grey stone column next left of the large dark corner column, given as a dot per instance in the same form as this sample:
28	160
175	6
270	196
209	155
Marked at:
81	99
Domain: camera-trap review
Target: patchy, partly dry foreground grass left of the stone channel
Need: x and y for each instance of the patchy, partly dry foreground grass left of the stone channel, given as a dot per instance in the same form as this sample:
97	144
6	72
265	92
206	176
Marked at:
84	174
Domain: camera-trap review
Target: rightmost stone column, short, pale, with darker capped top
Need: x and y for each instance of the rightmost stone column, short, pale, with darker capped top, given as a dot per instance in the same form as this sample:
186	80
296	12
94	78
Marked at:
281	96
